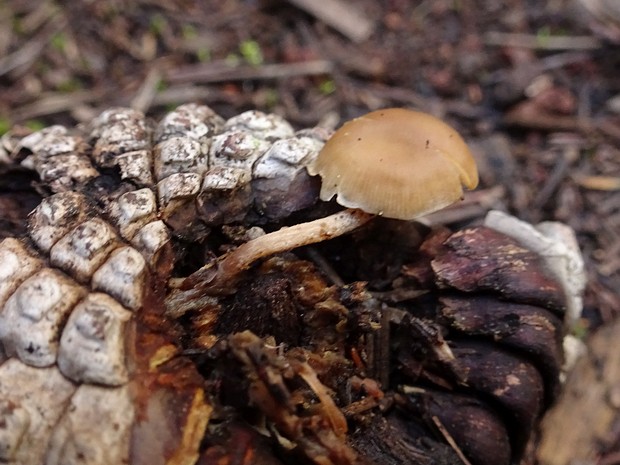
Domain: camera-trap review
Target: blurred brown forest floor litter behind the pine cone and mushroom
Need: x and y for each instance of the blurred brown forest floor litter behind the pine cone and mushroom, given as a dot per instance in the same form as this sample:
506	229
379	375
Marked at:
532	85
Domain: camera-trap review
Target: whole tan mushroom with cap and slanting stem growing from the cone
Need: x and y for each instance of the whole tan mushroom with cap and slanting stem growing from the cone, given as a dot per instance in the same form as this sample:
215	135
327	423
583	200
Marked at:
395	163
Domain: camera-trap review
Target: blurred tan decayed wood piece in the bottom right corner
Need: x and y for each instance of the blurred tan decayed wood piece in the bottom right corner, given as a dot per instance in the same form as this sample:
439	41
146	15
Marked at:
589	406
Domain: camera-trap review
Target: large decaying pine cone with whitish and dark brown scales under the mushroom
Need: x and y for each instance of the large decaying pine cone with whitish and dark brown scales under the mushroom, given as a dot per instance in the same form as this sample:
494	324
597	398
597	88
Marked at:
101	362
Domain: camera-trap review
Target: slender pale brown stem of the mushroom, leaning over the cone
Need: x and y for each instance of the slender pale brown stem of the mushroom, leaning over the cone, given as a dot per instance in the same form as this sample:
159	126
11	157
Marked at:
220	276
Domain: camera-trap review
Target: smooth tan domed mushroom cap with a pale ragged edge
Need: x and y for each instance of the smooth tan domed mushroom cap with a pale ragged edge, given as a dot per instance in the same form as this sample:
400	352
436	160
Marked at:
397	163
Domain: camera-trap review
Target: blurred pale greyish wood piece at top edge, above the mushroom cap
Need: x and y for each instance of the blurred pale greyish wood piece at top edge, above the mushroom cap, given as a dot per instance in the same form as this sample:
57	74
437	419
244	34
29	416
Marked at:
345	18
